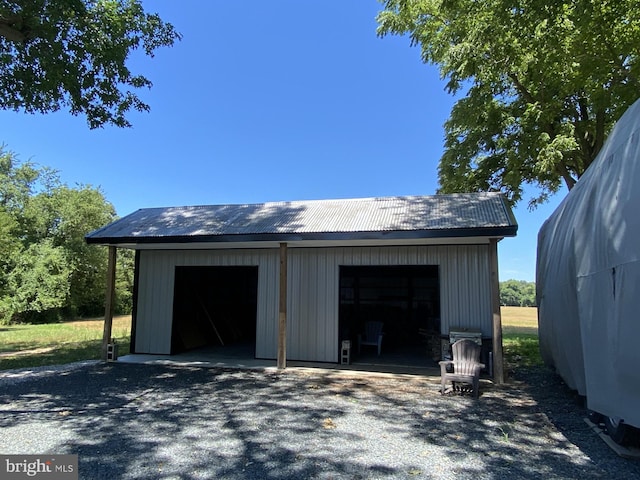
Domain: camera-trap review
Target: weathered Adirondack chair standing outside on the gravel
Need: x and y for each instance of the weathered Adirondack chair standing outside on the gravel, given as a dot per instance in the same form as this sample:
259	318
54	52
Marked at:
466	366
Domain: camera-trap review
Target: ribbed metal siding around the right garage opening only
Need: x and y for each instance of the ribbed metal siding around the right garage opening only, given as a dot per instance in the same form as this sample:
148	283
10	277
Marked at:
313	299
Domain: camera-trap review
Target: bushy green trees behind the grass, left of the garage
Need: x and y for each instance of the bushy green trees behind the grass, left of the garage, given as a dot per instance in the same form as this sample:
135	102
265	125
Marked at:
47	271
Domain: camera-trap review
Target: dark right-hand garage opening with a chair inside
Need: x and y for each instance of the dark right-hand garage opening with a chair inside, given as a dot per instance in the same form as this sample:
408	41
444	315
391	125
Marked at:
406	299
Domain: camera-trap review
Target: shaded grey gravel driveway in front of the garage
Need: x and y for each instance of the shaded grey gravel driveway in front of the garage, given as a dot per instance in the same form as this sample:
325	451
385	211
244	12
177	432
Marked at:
156	422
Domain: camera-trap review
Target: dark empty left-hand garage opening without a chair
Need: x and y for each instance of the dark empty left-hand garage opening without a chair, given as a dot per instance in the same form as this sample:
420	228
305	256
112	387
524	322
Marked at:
214	306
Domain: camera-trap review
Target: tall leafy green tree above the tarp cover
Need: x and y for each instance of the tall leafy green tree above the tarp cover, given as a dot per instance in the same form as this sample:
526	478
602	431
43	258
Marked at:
545	81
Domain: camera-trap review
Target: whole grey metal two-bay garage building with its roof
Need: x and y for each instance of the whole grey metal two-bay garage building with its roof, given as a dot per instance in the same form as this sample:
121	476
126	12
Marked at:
211	275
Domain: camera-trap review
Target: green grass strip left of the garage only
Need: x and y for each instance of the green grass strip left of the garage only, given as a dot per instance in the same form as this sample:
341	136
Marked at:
24	346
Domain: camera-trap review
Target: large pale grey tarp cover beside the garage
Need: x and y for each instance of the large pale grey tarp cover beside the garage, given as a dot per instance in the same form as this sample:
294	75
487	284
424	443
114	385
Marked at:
588	278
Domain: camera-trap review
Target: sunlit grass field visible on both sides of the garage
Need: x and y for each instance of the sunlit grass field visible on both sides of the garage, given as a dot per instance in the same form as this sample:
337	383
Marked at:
51	344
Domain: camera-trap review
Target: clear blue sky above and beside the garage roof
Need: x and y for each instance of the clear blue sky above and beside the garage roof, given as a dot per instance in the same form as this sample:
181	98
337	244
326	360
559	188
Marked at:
268	101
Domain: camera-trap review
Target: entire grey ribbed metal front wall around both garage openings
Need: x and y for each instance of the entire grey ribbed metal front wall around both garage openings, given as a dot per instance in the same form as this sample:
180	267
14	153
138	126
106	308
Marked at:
313	296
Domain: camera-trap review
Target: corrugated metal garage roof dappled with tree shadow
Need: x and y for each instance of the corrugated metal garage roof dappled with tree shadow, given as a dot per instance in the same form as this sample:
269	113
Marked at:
456	215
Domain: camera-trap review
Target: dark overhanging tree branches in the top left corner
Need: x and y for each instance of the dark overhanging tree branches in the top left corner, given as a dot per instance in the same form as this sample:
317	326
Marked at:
73	53
